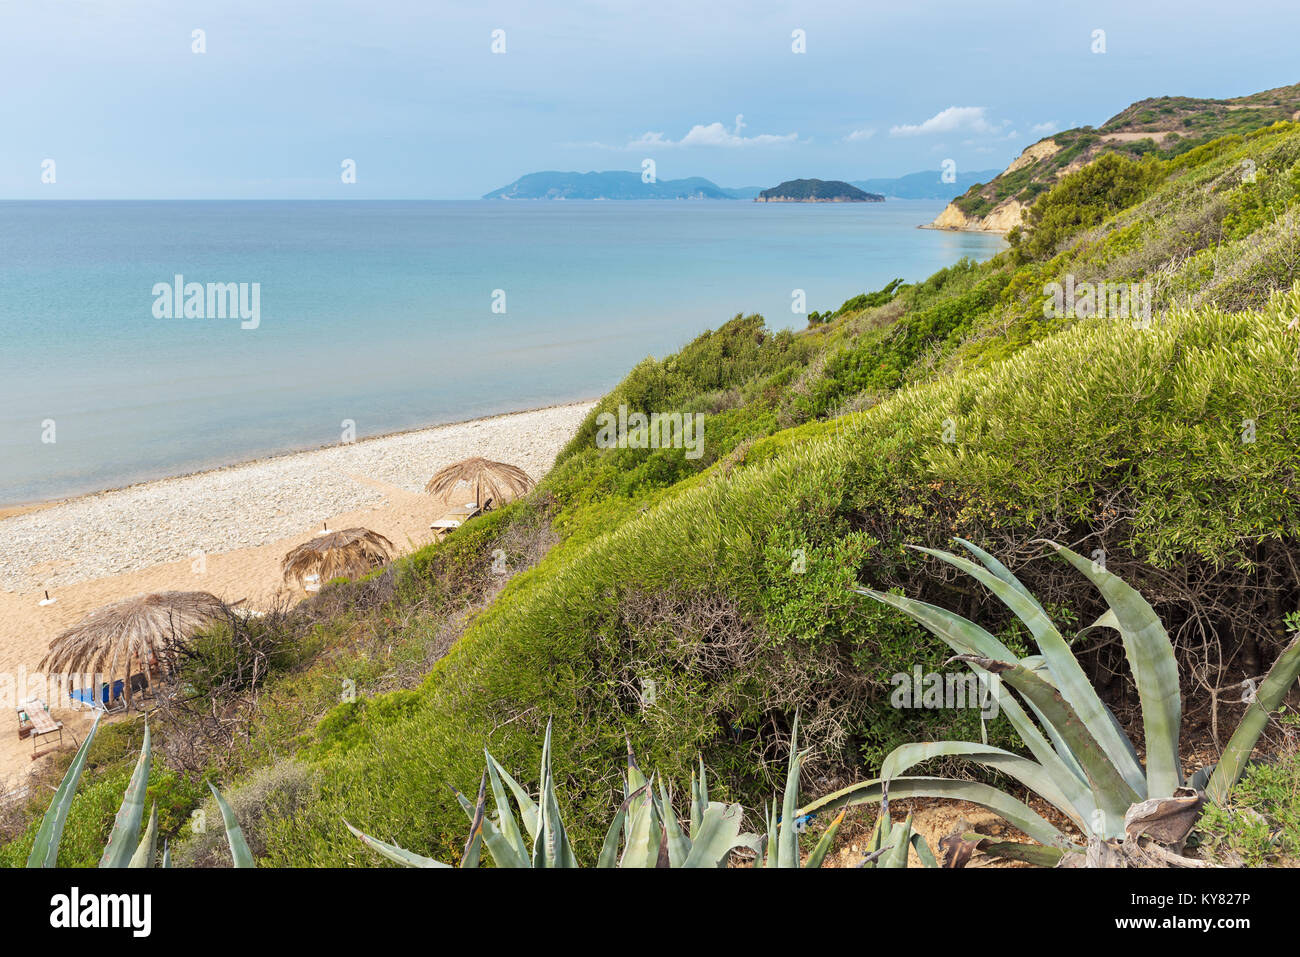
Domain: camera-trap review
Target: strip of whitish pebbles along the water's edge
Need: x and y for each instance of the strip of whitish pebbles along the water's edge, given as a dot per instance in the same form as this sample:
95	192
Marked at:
250	505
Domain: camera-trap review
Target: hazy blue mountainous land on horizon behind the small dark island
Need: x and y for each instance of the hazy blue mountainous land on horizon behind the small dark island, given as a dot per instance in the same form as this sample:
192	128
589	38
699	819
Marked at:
621	184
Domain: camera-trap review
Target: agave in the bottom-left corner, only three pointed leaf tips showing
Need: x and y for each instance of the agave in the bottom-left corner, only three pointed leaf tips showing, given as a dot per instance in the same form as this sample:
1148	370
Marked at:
127	847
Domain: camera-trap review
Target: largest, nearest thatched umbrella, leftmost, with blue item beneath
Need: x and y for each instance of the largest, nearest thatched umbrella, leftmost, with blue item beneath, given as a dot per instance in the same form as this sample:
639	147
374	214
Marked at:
124	638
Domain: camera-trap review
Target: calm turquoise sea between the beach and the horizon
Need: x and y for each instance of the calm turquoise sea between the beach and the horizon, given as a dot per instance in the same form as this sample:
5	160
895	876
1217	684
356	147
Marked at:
383	314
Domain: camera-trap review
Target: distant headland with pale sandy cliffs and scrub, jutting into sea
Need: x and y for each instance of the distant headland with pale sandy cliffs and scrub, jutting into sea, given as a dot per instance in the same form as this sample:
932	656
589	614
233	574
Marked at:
1163	127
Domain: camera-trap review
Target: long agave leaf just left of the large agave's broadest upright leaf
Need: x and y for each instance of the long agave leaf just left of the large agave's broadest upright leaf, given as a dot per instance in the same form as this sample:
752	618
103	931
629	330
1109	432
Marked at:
1073	685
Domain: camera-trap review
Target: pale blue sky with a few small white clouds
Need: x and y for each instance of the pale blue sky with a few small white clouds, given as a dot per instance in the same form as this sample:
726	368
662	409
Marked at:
112	99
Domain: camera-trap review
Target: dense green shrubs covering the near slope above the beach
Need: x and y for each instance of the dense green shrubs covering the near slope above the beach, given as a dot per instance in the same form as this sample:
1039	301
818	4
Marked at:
692	605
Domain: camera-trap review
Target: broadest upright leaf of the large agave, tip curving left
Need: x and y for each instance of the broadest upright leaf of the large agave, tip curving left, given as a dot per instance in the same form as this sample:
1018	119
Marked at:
1151	657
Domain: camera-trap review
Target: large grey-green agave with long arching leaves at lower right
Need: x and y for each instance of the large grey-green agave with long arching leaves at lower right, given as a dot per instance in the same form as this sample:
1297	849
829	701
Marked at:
1082	761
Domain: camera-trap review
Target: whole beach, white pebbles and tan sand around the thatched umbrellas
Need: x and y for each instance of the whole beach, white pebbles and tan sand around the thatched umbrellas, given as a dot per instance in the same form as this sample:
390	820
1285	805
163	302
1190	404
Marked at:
226	532
